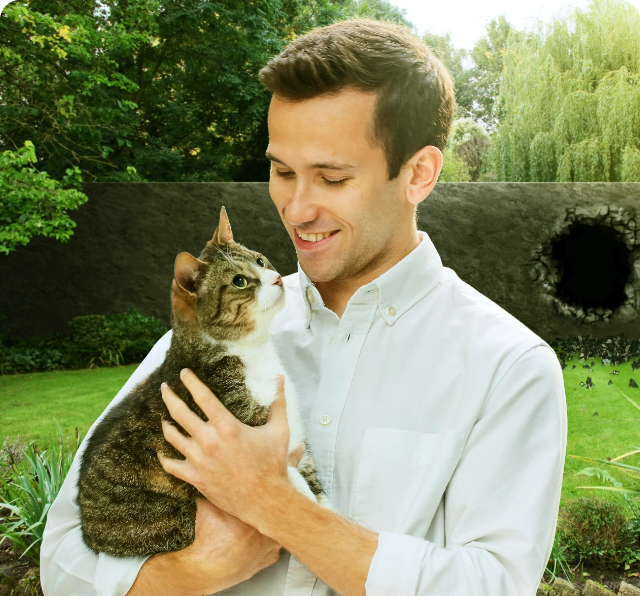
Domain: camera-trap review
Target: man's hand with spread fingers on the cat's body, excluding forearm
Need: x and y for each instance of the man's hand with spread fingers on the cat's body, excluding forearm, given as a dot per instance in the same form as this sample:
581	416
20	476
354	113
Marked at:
234	465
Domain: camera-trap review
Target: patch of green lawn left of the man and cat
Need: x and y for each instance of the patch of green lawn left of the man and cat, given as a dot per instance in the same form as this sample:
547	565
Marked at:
30	404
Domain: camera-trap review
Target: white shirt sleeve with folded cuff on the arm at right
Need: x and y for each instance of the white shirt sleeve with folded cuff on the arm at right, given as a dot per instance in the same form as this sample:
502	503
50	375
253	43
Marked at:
501	505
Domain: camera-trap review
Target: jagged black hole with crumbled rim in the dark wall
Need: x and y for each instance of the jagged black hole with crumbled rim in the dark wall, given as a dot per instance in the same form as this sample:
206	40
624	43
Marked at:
590	266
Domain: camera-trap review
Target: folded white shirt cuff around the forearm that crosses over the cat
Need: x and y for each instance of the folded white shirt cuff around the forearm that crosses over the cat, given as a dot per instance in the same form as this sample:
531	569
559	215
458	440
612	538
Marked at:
396	565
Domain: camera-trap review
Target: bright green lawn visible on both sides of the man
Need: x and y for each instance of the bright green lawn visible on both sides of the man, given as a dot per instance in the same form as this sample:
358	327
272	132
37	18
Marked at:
30	405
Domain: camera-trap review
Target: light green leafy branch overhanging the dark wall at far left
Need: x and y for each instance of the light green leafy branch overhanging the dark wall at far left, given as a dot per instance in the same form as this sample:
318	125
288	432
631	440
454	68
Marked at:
32	203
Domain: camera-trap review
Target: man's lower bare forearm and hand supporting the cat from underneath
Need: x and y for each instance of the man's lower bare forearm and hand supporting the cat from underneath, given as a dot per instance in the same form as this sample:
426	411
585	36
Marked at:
224	553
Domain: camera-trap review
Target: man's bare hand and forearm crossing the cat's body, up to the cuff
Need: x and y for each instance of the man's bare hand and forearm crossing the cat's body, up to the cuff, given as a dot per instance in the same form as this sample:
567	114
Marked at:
243	470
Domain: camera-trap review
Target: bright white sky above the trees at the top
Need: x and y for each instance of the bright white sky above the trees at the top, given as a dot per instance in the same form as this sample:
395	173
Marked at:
465	20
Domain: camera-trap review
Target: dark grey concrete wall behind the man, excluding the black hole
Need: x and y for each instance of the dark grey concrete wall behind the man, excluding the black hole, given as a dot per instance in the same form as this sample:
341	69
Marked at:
495	236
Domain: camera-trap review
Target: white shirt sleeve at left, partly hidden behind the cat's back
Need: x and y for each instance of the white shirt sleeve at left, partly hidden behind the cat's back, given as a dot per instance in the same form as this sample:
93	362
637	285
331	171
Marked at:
67	566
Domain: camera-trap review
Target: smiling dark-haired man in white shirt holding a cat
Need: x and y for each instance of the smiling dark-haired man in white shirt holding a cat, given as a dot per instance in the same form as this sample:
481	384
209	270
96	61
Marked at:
437	420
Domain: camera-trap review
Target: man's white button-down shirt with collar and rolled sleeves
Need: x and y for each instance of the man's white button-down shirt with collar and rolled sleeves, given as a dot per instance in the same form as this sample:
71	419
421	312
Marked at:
435	418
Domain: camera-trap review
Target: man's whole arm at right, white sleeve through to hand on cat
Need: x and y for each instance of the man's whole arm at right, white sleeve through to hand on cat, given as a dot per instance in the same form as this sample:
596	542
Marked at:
500	506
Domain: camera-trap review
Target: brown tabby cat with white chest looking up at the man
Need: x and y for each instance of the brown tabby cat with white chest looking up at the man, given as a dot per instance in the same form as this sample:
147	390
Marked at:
222	305
